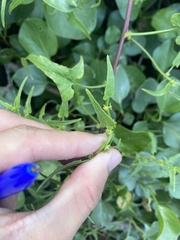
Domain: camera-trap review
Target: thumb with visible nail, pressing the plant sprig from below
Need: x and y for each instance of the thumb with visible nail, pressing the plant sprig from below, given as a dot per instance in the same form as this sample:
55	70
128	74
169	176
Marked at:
79	195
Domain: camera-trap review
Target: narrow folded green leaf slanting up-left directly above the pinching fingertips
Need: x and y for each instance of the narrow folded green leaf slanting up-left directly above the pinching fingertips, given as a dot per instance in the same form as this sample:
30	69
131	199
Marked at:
104	119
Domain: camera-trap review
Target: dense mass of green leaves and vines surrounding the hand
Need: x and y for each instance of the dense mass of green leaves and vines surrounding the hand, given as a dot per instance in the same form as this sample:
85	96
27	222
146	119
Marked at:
56	57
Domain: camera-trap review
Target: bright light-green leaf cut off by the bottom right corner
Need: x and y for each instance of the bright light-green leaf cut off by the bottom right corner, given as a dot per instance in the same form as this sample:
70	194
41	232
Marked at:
169	225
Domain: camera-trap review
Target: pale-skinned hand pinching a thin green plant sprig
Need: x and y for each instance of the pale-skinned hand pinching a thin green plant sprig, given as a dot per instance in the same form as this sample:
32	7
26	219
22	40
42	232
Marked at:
23	140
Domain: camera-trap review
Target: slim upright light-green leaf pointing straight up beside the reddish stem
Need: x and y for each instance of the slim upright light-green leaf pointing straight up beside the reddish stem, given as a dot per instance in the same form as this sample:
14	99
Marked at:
110	83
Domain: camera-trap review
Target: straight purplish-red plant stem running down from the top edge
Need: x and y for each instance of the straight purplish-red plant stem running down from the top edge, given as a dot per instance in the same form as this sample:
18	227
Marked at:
125	29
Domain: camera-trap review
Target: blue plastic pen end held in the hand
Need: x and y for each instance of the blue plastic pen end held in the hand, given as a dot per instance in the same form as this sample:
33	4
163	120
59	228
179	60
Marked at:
18	178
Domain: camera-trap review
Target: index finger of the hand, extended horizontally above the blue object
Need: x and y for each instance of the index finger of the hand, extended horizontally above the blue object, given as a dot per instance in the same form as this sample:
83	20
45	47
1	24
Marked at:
27	144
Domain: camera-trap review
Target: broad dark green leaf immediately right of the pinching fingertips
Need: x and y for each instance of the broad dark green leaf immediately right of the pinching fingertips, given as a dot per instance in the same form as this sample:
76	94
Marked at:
132	141
